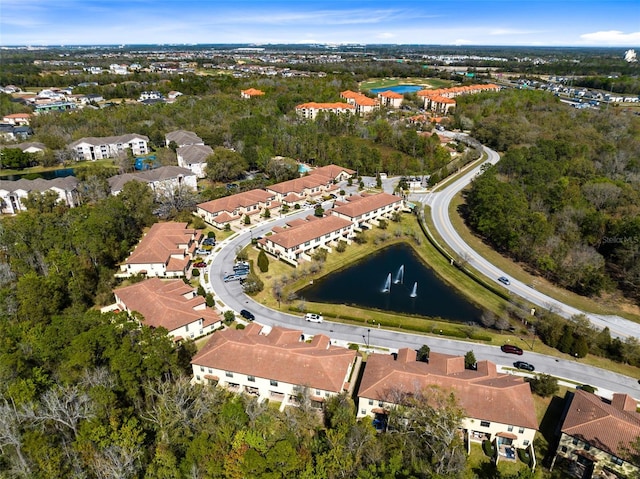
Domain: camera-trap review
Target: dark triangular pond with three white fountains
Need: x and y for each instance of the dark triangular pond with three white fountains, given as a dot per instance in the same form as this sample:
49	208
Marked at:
396	280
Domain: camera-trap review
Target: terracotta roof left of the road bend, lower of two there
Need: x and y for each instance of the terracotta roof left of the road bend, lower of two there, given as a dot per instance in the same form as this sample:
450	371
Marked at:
170	304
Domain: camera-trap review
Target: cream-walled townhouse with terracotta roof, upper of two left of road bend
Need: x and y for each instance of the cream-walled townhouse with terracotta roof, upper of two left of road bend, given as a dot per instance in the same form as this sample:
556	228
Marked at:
165	251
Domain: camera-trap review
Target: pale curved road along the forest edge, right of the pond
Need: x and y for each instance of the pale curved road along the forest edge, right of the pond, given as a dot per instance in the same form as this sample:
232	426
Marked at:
440	202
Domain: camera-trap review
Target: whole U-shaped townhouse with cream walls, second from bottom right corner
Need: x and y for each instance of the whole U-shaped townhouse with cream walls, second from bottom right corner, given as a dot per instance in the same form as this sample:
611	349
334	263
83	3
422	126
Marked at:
498	407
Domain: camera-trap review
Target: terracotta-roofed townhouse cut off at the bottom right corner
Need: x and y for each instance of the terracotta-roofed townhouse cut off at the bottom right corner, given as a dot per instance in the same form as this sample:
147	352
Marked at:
595	435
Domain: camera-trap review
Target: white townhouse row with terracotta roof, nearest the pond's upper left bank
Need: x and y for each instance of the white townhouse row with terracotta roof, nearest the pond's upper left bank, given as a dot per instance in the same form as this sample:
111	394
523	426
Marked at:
302	238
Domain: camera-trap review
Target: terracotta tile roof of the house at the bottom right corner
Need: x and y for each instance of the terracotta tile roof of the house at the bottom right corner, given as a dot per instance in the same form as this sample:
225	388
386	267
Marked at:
605	426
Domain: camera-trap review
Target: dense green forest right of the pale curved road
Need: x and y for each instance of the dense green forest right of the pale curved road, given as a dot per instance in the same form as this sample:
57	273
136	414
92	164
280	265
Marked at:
565	197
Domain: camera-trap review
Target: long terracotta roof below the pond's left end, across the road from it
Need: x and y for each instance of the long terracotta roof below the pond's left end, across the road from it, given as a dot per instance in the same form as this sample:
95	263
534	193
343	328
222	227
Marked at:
278	355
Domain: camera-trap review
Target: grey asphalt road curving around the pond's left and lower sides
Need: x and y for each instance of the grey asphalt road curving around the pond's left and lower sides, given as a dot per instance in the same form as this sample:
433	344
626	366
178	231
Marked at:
386	341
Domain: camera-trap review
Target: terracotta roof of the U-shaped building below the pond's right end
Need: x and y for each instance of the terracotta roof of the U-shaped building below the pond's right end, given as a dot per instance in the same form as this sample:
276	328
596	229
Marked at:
483	394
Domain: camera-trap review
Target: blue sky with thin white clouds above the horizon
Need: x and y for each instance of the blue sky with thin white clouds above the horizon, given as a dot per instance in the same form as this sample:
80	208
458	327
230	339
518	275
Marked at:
607	23
